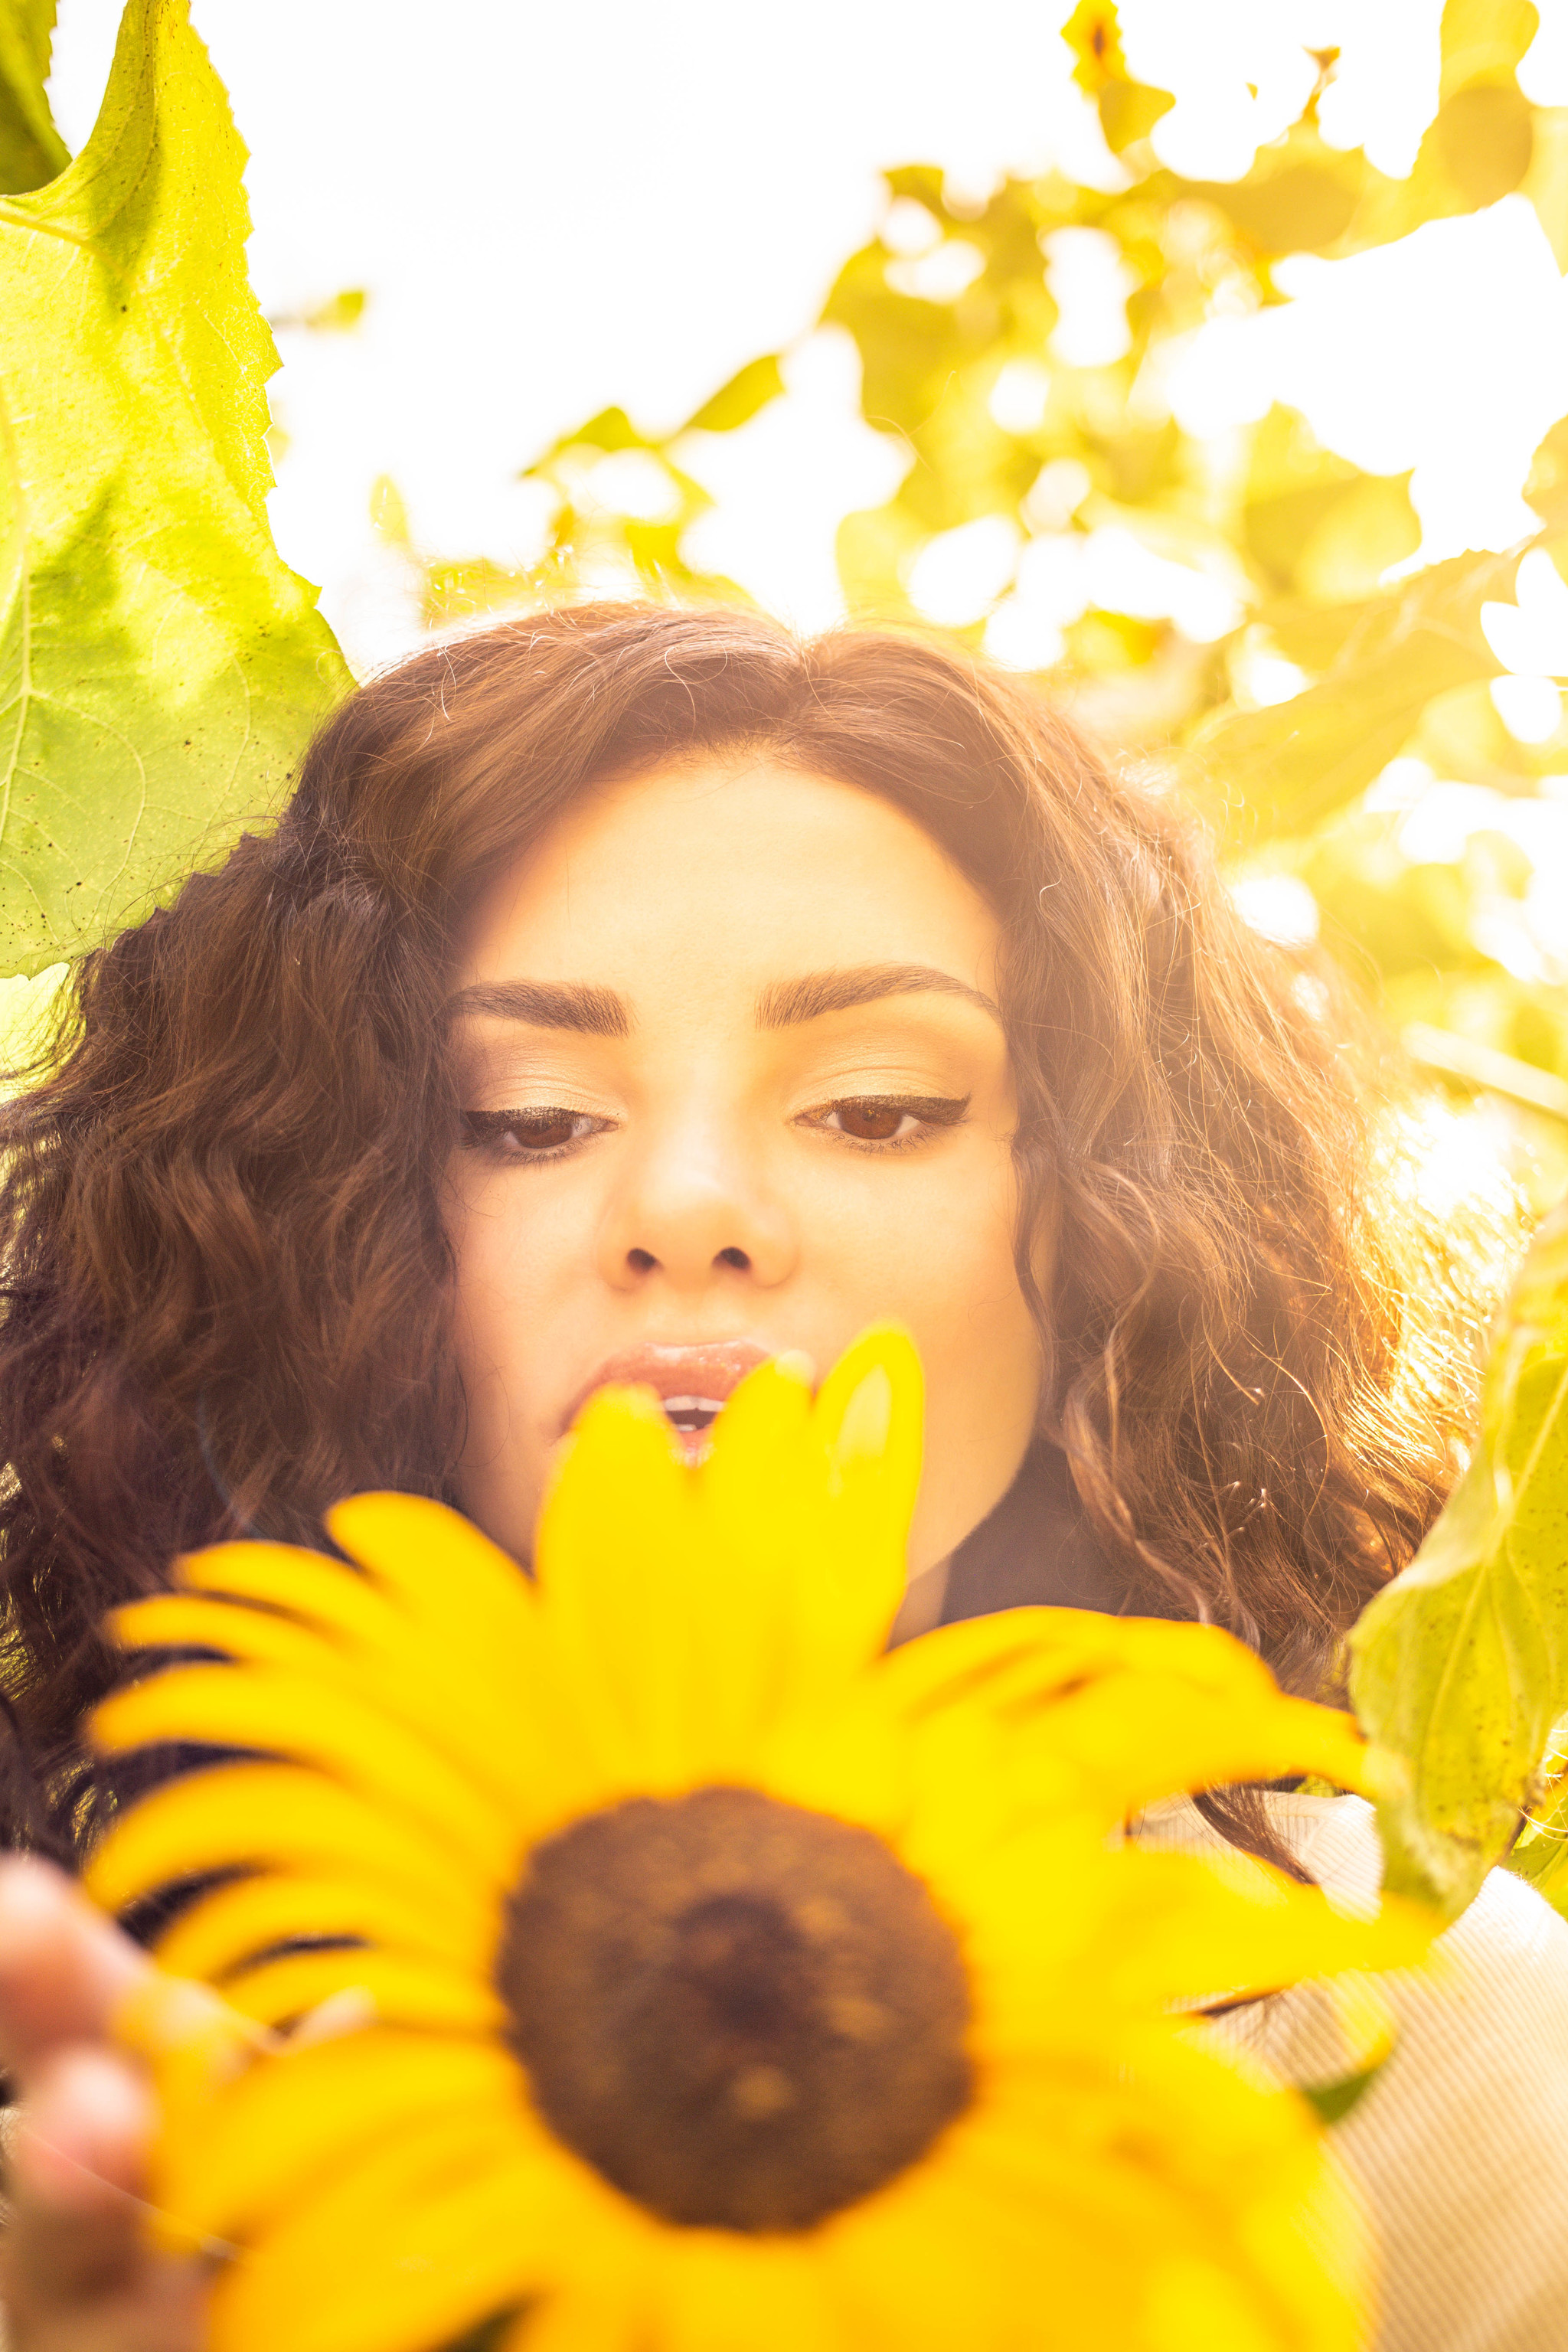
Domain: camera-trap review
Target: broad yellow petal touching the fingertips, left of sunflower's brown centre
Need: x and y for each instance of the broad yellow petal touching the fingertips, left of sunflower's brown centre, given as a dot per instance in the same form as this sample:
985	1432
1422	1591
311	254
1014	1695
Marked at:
274	2137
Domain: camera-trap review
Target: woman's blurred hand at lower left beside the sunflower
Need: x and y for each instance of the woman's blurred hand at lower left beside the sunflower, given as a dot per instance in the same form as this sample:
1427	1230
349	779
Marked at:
74	2269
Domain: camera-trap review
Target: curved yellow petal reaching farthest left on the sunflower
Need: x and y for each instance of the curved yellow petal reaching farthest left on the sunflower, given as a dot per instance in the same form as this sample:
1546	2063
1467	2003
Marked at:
257	1815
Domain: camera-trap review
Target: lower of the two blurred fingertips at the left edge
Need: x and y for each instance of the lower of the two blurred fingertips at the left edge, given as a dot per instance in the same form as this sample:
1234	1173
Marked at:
76	2179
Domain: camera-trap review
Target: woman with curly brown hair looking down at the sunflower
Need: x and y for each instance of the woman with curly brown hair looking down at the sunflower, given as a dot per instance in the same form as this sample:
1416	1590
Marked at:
626	996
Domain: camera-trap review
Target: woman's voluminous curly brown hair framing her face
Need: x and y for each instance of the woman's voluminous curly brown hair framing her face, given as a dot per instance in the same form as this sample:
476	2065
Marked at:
227	1278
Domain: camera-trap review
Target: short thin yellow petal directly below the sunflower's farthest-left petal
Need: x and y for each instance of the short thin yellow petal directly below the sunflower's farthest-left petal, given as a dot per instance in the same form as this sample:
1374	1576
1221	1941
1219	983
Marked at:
243	1918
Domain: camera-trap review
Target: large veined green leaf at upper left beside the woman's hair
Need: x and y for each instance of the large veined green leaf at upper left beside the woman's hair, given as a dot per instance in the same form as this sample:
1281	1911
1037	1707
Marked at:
161	667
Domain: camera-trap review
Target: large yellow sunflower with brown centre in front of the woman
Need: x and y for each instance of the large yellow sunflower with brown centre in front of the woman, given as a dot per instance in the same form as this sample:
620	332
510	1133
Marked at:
641	1958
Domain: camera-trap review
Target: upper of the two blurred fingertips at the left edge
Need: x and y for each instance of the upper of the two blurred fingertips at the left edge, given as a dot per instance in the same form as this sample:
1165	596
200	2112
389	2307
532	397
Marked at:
65	1967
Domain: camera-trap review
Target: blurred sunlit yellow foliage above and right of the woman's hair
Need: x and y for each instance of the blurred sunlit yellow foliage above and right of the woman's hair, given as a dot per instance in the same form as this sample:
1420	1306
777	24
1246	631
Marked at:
1240	610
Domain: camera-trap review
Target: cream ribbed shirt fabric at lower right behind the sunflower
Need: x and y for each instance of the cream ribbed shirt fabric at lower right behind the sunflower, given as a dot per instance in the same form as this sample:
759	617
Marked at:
1459	2151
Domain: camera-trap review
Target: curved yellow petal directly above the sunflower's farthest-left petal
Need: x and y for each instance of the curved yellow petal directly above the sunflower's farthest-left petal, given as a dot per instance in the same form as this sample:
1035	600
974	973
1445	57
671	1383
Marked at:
309	1723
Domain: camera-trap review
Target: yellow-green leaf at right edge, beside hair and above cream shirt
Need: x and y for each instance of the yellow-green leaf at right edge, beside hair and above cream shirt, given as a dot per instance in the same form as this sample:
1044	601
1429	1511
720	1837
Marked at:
1461	1666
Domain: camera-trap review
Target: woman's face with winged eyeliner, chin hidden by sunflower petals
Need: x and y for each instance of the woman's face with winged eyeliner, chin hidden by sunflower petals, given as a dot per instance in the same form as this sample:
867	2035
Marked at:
735	1085
